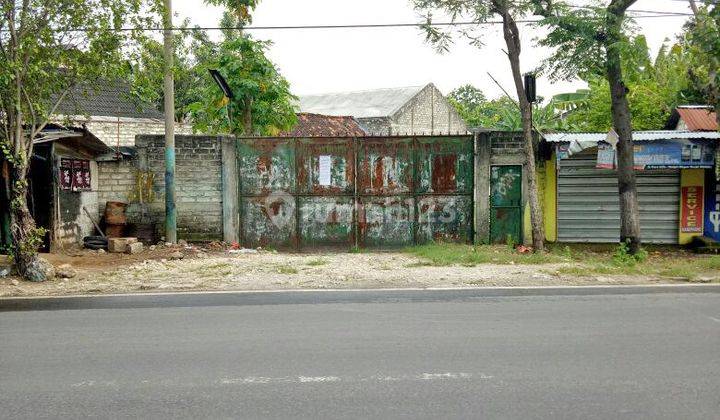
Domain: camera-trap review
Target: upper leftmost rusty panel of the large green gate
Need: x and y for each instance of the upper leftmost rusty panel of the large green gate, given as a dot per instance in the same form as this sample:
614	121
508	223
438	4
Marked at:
266	166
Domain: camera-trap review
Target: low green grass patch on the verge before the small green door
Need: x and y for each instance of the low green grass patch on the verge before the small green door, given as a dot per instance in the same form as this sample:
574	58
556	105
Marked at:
445	254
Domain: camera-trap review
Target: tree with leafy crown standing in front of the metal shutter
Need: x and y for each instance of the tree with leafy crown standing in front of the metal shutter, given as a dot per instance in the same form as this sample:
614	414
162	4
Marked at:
592	41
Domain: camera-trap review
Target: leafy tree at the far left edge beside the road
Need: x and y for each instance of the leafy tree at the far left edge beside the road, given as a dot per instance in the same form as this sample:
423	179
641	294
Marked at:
46	48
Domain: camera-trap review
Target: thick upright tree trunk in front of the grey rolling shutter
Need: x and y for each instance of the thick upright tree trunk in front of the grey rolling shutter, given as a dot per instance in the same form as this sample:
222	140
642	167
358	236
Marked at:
627	185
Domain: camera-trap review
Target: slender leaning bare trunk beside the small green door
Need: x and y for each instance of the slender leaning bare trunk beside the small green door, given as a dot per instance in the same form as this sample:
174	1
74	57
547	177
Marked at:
512	39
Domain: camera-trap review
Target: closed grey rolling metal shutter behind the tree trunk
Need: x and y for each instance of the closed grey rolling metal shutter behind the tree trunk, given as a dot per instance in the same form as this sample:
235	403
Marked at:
589	207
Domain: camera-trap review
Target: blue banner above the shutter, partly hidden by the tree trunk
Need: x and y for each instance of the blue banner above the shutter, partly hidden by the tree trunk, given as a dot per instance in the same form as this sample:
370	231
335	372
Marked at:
662	154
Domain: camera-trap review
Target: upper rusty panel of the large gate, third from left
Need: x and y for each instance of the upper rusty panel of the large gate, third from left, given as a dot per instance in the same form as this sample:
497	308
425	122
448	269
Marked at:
385	166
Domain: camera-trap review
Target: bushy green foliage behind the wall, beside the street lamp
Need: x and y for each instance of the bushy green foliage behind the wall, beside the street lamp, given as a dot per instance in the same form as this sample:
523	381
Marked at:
250	75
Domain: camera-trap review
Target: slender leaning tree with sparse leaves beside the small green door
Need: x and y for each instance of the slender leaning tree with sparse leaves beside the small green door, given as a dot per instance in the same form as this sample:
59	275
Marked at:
508	11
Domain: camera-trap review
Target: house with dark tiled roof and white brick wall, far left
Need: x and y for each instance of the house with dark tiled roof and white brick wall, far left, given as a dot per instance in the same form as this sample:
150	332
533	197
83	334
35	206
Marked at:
112	113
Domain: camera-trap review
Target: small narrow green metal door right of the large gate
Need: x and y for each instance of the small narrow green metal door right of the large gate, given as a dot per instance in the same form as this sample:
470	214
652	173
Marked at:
506	203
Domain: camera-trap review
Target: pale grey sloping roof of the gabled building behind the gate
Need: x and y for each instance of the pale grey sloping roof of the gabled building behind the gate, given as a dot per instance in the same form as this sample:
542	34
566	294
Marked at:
360	104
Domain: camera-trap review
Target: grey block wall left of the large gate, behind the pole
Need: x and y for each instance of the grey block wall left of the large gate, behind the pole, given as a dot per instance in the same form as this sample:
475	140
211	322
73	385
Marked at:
197	180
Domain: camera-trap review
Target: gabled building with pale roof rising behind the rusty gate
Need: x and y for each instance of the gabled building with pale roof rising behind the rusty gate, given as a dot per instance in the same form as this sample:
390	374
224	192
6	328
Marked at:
395	111
